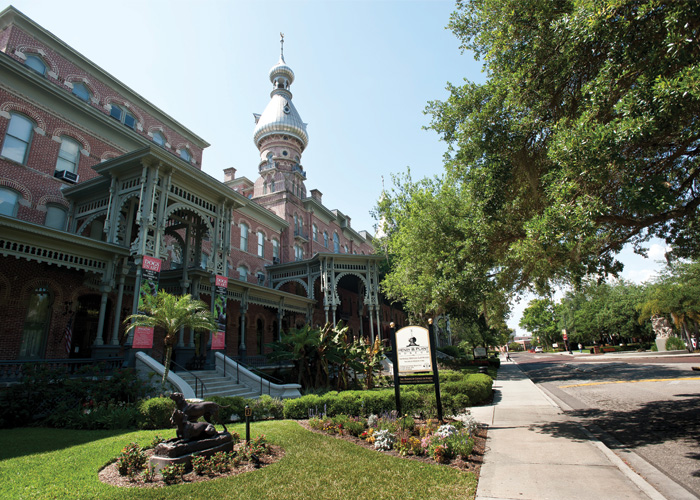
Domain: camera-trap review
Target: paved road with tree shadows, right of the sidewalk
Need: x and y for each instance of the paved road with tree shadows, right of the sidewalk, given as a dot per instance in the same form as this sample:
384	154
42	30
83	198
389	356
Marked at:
649	405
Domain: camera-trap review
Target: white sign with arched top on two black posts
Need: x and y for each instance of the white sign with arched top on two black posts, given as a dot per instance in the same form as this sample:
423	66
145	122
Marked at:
414	355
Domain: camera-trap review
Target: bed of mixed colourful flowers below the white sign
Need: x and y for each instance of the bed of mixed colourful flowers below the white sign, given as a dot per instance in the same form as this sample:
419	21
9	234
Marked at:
459	441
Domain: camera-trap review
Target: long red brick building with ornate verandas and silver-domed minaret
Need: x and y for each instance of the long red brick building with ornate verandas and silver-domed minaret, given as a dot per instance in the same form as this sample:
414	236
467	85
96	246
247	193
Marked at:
94	179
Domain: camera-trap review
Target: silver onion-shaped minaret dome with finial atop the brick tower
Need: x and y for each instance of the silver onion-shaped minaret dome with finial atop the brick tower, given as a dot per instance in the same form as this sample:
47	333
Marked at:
280	115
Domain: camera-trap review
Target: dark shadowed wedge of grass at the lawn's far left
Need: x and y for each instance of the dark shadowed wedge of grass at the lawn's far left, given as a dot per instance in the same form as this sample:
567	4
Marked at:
32	440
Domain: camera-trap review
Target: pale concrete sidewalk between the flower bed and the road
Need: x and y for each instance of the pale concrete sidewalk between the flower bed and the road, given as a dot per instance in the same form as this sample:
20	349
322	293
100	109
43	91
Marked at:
534	452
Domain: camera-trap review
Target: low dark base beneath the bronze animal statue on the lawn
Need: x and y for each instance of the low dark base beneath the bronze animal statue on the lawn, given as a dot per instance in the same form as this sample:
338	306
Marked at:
181	451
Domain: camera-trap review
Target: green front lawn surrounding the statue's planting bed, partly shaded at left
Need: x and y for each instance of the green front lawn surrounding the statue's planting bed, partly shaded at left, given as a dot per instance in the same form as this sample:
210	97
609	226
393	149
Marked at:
37	463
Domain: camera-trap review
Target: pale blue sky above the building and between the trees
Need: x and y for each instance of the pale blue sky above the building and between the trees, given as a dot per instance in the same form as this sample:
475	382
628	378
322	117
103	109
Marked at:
364	72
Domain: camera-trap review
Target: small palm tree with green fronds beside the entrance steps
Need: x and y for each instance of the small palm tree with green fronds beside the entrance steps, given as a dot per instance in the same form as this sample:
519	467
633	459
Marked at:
171	313
